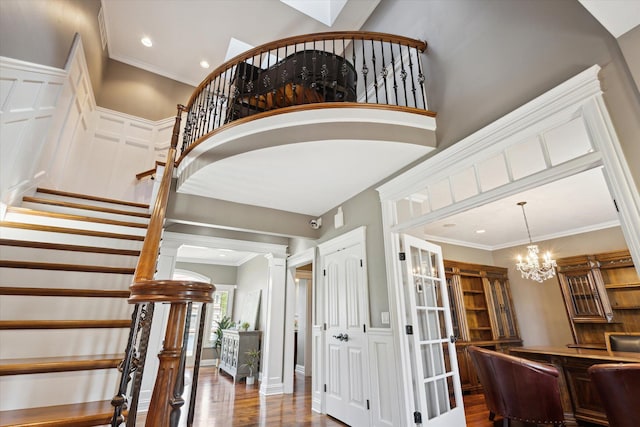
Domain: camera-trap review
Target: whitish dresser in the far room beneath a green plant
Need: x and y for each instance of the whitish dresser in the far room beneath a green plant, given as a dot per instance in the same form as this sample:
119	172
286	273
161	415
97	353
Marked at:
232	353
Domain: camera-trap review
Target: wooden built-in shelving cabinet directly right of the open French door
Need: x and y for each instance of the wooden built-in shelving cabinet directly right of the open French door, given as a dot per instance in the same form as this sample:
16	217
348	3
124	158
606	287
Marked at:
481	311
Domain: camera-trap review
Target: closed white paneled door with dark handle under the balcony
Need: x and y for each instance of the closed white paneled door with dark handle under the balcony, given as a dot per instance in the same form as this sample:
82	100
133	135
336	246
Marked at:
346	309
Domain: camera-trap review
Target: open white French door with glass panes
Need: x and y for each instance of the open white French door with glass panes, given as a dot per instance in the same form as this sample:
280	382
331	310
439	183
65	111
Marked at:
430	337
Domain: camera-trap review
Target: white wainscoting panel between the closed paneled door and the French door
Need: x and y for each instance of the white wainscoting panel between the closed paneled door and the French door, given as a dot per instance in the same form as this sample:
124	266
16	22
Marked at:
384	383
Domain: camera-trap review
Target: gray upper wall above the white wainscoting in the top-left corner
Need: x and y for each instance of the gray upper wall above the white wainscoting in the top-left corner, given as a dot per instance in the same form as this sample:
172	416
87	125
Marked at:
42	32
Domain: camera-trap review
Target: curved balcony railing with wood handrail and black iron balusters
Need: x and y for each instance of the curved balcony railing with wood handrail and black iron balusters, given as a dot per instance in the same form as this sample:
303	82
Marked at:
349	68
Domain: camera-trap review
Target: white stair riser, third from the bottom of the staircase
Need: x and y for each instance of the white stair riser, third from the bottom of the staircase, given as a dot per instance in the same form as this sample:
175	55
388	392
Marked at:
14	307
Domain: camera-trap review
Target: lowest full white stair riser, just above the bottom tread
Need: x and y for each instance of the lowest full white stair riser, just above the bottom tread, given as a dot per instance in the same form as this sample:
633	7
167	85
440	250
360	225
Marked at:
59	388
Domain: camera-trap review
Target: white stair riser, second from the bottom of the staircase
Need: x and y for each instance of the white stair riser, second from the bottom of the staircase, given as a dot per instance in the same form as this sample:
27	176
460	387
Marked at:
18	344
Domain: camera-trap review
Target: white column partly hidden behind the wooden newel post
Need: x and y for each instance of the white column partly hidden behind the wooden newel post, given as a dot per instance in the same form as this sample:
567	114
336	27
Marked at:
165	267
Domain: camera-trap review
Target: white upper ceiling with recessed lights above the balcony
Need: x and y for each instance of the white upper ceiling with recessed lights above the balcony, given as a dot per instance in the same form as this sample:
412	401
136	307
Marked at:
185	32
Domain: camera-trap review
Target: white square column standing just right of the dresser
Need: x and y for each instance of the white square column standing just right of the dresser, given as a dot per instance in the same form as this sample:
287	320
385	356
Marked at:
274	331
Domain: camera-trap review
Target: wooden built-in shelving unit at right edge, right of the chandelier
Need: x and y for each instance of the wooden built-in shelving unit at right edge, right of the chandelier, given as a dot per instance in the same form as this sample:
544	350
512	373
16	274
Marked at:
602	294
